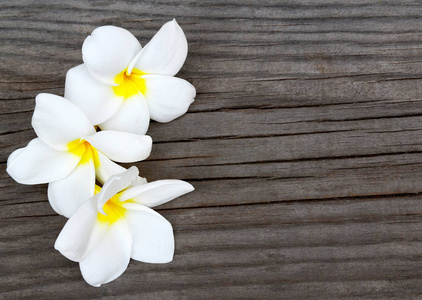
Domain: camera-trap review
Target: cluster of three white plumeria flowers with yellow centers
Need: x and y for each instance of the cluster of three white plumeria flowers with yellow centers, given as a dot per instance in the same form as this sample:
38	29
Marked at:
101	121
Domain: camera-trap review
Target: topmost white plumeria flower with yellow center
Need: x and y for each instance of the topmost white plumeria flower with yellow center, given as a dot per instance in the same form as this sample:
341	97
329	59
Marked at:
121	85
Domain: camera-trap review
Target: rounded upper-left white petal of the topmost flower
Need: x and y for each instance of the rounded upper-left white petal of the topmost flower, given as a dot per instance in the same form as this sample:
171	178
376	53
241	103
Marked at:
109	51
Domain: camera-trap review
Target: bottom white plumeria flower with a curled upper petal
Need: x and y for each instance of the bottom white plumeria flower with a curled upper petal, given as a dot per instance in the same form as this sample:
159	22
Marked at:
117	224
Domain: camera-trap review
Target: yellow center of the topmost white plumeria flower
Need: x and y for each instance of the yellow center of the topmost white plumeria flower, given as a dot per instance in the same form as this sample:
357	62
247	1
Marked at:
129	85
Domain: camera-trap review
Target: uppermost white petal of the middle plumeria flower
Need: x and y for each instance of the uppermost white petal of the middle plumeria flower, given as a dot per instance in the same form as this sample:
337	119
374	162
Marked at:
58	121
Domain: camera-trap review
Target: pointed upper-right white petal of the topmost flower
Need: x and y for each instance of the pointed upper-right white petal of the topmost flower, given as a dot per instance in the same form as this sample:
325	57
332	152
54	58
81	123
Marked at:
165	53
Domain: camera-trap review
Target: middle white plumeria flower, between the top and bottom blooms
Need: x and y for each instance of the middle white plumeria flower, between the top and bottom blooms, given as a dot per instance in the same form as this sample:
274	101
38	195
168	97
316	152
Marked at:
70	154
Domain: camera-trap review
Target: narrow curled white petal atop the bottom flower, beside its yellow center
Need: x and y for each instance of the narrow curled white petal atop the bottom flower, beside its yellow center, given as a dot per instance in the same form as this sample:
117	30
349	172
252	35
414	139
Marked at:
115	184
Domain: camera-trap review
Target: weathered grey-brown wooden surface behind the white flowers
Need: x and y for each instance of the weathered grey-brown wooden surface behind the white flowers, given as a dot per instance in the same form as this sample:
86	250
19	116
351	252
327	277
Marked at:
304	145
